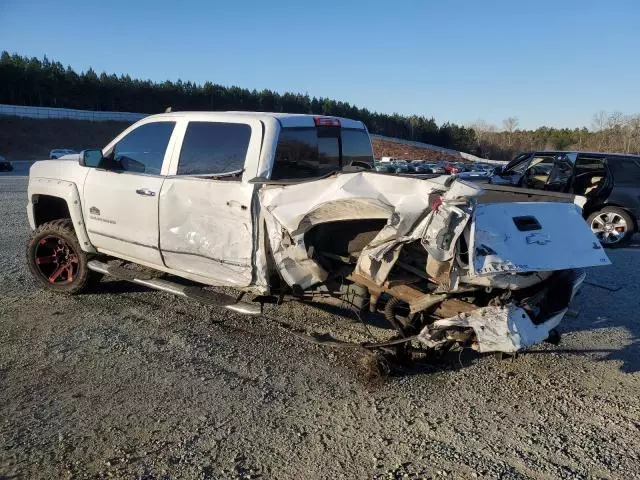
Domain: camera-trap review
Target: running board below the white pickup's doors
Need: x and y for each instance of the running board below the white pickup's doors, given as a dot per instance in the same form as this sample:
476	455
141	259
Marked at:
195	293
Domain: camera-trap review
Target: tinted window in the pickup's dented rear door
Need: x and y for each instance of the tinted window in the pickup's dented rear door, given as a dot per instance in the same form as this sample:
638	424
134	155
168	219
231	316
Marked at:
211	148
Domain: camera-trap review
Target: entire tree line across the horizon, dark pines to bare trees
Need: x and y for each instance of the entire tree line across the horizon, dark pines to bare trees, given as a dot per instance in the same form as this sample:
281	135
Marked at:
46	83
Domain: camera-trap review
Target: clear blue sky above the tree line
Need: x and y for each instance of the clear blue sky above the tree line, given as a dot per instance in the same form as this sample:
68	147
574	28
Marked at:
546	62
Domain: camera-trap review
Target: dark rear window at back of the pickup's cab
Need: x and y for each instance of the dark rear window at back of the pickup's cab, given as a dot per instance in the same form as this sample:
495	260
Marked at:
313	152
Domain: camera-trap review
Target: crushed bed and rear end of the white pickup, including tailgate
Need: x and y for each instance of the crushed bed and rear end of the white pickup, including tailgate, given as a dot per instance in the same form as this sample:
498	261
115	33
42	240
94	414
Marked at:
447	266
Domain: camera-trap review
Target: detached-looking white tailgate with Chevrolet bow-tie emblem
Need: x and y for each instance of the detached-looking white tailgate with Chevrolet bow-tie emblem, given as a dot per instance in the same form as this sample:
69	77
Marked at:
529	237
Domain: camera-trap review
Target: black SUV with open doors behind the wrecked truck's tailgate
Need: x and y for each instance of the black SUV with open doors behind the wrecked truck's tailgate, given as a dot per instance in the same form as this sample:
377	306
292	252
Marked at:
609	181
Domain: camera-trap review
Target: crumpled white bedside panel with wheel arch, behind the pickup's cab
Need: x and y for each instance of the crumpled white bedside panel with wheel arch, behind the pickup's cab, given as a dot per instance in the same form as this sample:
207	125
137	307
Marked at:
292	210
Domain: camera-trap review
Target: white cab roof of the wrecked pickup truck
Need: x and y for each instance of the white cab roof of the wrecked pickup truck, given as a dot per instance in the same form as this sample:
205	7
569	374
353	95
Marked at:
285	119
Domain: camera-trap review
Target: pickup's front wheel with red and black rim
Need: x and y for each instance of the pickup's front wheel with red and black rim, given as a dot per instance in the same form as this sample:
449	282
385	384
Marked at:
56	260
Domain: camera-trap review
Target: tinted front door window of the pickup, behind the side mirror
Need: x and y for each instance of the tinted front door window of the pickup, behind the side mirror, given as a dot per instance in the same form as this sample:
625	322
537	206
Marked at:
142	150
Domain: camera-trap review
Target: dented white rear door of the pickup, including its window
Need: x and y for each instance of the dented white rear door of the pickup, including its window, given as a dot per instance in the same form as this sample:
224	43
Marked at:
206	223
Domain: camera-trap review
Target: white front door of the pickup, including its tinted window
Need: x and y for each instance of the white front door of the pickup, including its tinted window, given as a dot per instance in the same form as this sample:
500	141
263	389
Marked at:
120	199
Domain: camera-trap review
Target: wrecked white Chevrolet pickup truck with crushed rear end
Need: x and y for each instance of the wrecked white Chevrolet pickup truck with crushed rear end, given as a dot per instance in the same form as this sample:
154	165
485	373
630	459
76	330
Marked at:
283	205
